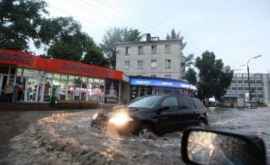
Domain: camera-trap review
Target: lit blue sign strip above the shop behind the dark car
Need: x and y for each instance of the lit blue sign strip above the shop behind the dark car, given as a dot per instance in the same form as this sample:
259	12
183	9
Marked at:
161	83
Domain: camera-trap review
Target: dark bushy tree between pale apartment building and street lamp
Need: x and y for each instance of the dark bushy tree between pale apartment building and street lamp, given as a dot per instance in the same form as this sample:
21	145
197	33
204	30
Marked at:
214	78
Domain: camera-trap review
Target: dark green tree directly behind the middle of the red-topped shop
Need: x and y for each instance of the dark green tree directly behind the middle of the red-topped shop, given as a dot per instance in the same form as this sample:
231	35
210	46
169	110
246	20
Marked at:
67	41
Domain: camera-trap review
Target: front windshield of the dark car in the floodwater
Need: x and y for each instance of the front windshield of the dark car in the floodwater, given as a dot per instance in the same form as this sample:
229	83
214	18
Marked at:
147	102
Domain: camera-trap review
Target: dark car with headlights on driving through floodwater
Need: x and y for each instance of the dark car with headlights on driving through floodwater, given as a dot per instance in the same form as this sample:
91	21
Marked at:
158	114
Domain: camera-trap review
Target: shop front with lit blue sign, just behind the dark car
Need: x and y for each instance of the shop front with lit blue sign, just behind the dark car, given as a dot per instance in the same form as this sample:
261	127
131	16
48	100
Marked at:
143	86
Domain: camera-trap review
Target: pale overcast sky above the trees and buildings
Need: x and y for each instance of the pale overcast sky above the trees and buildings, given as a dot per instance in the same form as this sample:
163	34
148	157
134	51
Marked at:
234	29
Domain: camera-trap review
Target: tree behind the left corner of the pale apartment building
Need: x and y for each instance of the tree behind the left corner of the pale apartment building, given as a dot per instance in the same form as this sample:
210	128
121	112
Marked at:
115	35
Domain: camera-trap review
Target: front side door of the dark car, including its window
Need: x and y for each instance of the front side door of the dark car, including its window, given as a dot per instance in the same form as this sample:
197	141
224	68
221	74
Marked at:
168	116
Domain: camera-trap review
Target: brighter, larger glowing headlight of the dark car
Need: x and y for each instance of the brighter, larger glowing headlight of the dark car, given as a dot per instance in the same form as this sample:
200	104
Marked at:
120	118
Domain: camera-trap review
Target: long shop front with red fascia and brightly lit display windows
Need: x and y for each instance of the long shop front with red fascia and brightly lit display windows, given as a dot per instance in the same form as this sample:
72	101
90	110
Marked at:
33	79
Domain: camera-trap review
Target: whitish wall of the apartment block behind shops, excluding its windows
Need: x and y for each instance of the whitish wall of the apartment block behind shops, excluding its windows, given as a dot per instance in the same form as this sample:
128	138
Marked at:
175	56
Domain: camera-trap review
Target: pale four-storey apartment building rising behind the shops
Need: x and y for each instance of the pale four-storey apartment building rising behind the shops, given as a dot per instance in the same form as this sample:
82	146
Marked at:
151	58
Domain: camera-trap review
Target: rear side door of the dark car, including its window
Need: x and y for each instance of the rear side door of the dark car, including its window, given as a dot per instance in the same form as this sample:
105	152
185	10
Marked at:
187	112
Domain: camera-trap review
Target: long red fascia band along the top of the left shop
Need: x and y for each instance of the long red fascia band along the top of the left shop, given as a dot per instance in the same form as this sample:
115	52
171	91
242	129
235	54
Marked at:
27	60
